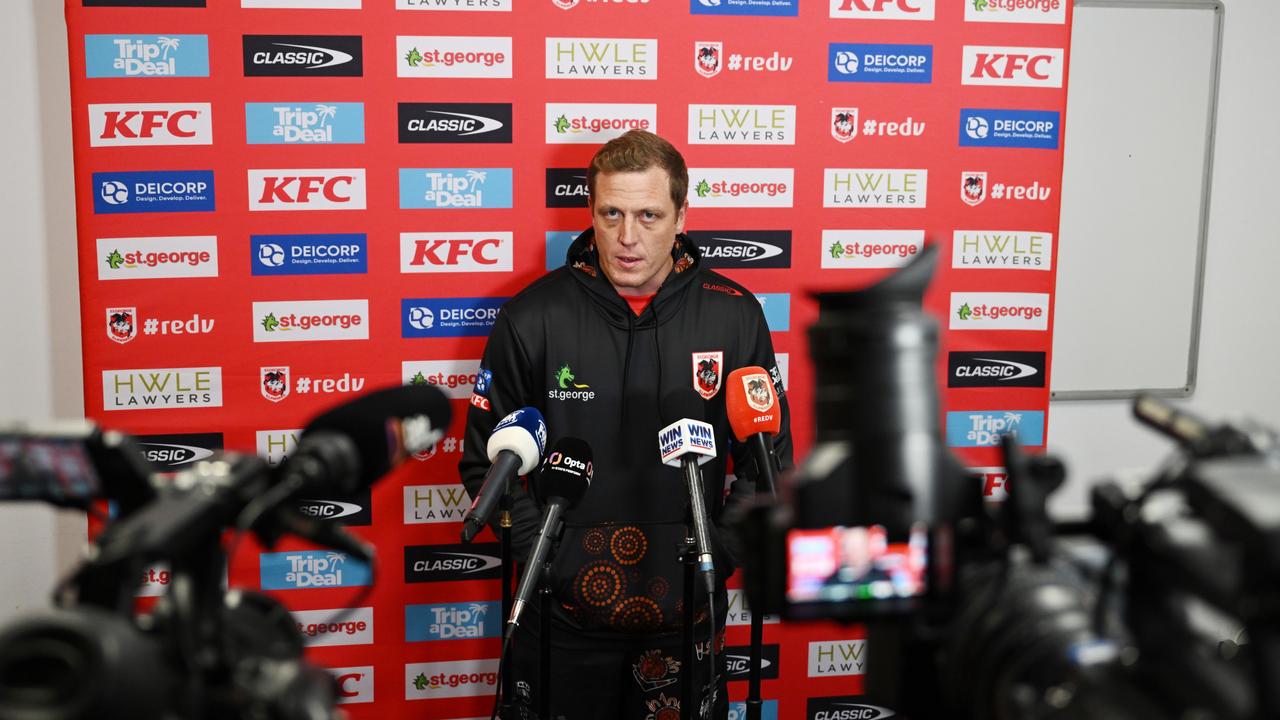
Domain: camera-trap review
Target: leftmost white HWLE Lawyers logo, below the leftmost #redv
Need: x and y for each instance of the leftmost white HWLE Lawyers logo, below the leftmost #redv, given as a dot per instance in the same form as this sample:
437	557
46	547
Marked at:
162	389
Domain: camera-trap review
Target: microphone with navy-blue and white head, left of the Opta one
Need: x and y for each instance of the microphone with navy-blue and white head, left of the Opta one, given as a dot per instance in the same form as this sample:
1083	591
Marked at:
515	448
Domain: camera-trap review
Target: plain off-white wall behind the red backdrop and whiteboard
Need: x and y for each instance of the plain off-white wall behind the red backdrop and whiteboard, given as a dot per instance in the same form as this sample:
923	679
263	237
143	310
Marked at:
40	363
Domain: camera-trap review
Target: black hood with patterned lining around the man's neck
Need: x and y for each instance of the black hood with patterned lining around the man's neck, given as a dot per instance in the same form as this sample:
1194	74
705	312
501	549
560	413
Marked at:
584	266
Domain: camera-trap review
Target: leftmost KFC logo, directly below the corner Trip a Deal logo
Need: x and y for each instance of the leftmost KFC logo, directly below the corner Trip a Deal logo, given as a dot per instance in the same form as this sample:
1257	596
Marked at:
150	124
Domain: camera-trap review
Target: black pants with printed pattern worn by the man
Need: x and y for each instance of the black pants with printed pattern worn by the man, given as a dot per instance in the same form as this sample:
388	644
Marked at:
634	680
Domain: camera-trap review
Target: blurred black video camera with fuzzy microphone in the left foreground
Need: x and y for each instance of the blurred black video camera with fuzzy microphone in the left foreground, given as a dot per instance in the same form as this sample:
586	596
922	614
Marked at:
203	651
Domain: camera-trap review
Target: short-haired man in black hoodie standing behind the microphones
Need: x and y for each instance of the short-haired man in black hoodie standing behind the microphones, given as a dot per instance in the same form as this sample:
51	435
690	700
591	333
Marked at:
632	335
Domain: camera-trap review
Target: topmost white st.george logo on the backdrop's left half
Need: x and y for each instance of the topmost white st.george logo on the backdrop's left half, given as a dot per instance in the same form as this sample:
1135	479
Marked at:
441	57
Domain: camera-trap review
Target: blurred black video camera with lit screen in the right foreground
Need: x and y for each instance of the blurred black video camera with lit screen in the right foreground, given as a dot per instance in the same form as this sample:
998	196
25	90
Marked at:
1165	604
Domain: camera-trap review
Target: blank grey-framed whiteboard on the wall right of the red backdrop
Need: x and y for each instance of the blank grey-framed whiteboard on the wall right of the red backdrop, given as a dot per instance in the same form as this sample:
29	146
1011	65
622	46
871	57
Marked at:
1142	95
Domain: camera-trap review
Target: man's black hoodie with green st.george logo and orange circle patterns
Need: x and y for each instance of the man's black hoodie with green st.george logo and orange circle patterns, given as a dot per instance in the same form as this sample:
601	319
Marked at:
572	347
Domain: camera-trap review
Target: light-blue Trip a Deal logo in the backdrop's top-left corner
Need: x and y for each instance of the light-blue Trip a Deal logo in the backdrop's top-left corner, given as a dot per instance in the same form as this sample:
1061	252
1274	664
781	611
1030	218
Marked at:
147	56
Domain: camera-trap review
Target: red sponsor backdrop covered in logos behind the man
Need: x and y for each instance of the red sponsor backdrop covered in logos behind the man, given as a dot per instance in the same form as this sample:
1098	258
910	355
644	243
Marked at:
853	131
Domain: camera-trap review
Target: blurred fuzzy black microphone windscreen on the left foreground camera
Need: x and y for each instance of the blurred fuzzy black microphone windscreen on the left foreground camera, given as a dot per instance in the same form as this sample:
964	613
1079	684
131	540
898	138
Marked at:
388	426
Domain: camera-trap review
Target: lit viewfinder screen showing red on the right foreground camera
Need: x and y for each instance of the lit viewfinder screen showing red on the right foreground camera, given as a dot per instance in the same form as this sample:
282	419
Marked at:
854	564
